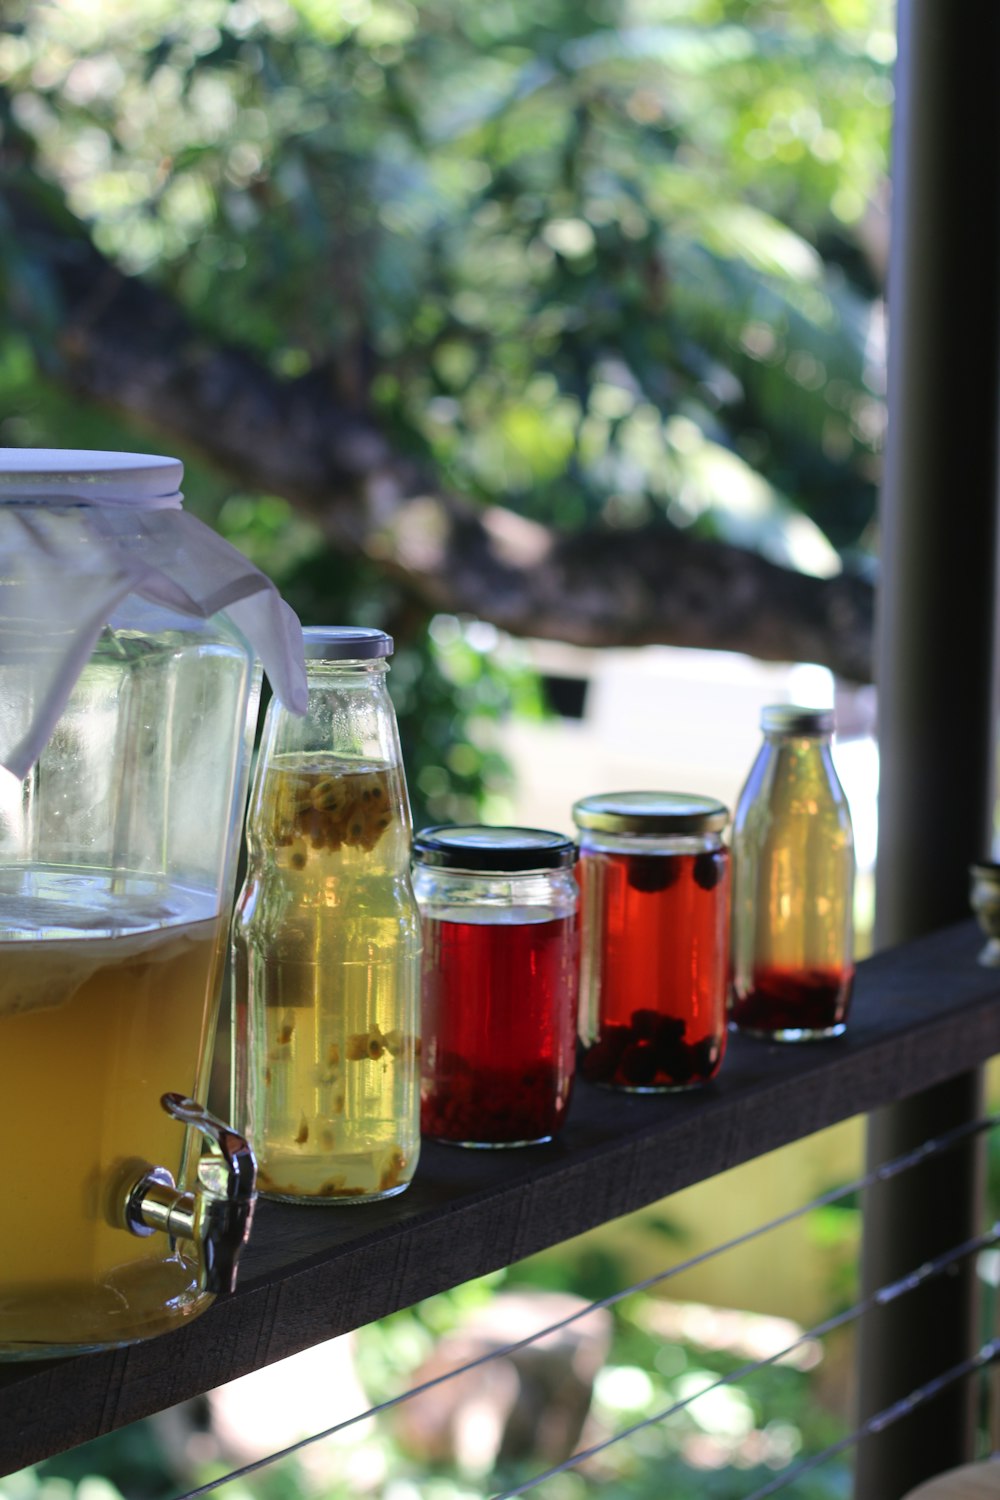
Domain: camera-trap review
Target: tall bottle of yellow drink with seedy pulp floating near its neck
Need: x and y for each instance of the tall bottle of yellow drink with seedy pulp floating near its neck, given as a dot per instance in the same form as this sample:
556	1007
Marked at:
328	941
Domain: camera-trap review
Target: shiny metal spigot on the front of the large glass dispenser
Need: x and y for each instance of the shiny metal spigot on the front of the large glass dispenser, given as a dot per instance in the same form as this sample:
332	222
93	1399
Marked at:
218	1214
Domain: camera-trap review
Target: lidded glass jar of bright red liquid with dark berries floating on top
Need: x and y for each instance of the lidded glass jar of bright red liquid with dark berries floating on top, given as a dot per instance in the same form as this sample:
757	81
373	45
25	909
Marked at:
654	877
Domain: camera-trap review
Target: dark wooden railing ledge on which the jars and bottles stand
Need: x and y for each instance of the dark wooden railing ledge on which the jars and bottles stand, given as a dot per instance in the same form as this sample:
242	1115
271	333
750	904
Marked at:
921	1015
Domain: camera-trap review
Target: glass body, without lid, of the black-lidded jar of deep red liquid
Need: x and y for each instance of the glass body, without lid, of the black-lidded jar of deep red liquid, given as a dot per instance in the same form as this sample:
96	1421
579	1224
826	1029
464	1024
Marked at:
500	1004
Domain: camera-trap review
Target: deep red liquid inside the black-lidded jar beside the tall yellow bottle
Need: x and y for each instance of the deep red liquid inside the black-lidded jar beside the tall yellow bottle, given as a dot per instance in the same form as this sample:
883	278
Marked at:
499	1030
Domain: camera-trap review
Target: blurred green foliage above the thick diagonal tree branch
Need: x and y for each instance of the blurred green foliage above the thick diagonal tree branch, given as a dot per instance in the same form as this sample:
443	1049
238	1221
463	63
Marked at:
572	253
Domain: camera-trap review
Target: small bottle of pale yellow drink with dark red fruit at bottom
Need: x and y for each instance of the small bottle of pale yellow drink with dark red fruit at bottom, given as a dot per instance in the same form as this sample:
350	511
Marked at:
794	884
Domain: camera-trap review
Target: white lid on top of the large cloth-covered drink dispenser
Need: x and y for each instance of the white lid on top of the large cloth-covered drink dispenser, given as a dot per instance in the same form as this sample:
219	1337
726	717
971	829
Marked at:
91	478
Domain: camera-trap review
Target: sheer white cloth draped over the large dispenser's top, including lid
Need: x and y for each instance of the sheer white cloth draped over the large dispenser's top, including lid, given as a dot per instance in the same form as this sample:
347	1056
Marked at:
83	530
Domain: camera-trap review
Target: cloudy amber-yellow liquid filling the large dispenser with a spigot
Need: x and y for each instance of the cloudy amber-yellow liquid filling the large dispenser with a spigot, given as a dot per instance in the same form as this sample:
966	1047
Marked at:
97	1022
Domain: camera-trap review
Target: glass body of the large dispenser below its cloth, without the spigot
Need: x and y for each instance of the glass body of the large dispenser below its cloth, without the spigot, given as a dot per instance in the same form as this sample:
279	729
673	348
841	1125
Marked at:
118	857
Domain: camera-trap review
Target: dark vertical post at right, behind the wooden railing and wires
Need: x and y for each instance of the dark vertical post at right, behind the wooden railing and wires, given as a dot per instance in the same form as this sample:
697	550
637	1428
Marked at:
935	676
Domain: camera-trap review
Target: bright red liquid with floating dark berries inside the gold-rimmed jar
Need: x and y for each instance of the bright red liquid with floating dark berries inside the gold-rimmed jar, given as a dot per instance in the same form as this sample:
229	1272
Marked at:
659	944
